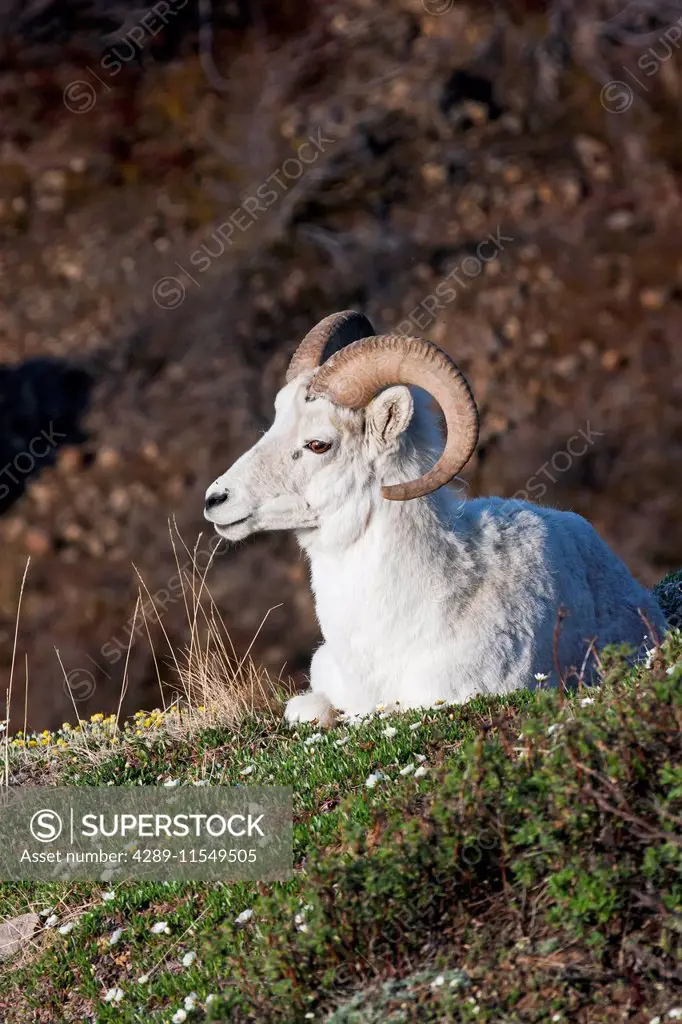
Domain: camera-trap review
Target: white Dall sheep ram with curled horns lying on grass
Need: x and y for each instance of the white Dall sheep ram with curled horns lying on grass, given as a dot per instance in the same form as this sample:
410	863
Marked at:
421	596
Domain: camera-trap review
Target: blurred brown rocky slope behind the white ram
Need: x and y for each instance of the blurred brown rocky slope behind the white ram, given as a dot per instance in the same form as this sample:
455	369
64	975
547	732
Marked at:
443	122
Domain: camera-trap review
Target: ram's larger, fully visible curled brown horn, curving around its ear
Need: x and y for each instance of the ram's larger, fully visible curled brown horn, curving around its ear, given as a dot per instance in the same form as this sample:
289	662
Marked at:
353	378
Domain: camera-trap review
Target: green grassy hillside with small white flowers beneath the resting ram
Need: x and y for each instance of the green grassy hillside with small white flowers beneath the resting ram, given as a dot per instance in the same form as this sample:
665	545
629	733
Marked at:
515	860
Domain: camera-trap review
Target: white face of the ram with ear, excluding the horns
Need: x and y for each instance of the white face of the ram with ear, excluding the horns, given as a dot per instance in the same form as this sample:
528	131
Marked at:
314	460
